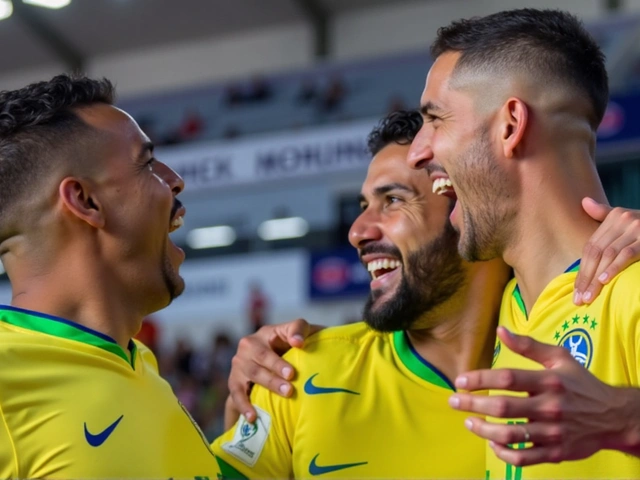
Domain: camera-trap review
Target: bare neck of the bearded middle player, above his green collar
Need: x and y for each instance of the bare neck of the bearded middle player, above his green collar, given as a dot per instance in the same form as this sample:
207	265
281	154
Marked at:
464	336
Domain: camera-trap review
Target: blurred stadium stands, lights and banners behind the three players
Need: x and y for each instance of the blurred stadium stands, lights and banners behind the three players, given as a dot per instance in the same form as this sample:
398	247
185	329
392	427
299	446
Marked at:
263	106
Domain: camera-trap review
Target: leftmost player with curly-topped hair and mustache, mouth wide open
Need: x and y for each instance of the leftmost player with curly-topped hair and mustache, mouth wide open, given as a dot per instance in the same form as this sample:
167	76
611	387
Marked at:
85	216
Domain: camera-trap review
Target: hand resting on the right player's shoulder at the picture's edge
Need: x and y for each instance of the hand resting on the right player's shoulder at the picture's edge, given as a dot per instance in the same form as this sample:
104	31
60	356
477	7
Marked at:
613	247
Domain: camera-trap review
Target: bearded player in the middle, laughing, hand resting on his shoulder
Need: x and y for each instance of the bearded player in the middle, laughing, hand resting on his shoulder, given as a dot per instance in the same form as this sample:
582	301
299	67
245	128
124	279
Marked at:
371	398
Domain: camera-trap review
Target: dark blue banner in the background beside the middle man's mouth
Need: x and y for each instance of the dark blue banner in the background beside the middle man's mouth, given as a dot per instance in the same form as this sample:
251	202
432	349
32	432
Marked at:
337	274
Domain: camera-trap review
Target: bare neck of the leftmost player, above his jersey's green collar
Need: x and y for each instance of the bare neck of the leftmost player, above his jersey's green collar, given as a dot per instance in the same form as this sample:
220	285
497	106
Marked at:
77	290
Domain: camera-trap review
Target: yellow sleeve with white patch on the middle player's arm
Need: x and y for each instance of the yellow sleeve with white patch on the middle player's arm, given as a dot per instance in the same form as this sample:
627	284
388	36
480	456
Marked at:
264	449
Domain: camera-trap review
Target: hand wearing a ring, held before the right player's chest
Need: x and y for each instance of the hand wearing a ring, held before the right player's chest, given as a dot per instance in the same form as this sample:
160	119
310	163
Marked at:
571	413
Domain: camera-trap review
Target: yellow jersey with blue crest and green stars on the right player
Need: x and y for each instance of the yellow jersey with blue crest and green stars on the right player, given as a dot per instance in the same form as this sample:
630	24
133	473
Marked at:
603	336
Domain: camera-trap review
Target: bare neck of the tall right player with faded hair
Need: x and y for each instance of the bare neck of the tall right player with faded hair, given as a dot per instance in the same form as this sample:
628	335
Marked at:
552	227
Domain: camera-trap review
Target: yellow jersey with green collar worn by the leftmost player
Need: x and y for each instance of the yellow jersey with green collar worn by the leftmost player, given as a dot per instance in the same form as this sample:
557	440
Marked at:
74	404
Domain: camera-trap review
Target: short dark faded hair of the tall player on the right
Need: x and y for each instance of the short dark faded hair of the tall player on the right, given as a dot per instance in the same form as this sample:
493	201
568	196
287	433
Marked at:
551	44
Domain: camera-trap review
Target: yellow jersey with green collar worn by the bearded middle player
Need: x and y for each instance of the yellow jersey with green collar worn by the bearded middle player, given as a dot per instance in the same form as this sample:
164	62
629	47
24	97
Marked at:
366	405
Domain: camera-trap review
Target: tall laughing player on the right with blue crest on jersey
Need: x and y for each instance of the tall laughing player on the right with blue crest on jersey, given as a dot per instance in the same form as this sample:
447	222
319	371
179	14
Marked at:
511	106
